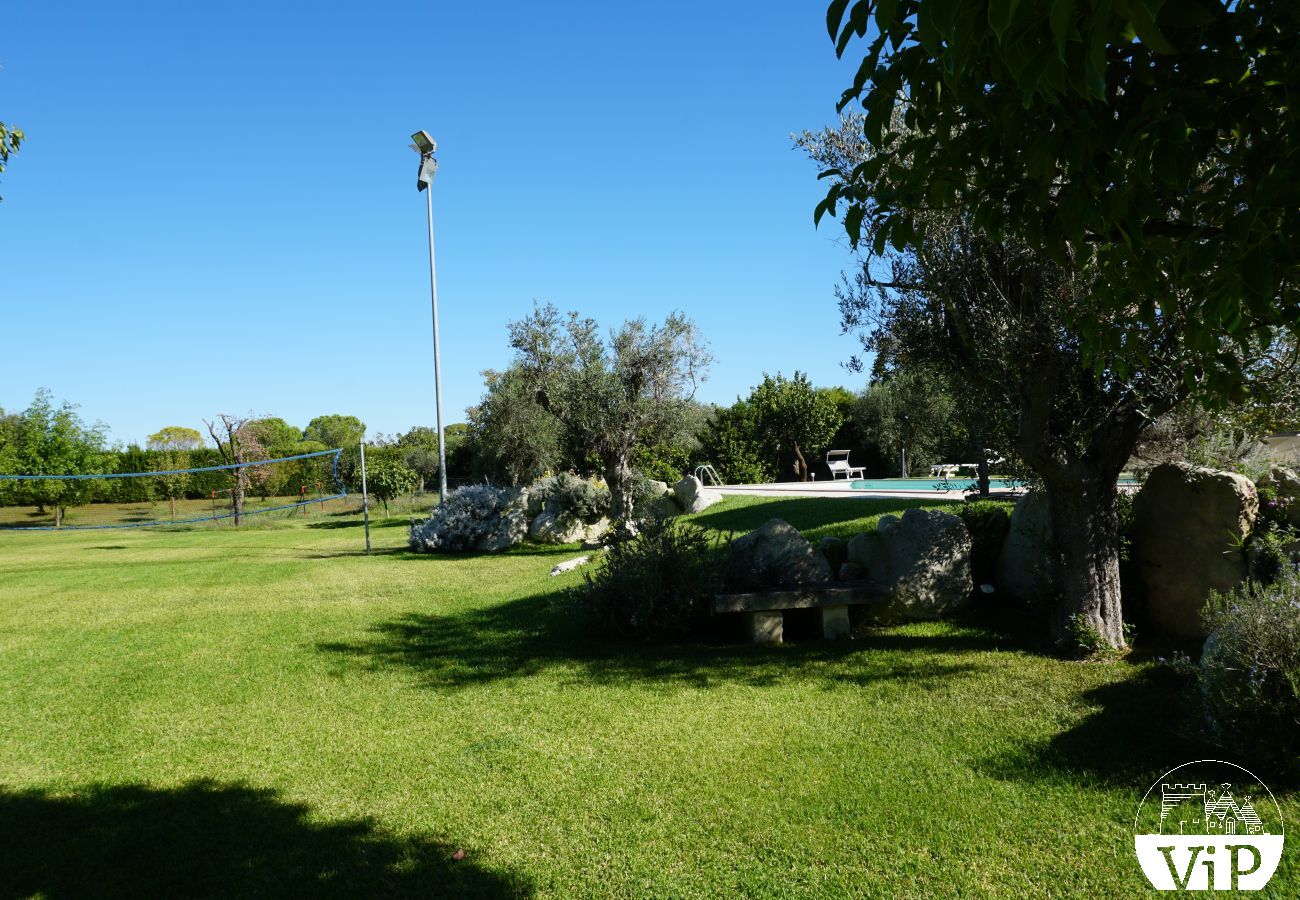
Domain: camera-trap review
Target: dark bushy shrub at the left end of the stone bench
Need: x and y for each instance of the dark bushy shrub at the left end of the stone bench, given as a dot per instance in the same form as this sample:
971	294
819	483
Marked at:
658	585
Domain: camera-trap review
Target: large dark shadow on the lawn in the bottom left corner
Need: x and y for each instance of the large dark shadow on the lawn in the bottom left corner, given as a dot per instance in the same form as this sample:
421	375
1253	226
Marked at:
216	841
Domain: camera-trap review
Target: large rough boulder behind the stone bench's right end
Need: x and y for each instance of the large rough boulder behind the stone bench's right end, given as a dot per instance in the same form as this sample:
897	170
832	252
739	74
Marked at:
924	561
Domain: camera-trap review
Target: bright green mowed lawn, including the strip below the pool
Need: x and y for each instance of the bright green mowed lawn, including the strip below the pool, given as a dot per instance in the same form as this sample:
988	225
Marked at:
272	713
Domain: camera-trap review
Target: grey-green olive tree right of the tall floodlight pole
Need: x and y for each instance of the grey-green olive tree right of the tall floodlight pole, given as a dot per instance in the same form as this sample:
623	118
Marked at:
617	393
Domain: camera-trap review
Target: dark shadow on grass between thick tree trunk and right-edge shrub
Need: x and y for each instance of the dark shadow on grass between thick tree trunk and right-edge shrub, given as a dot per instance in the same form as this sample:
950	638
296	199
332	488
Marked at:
1141	728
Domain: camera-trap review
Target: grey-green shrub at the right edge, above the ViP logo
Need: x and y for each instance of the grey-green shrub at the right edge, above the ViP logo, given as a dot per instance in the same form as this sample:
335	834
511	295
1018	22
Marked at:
1250	672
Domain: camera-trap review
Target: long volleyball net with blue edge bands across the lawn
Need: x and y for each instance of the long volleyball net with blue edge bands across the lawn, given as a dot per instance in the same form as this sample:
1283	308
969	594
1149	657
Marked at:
175	496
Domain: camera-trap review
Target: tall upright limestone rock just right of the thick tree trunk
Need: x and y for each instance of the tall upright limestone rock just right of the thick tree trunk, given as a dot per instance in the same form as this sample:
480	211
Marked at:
1189	525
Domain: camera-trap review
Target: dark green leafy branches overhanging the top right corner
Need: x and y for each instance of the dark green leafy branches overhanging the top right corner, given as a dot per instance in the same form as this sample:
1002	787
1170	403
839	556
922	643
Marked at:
1147	142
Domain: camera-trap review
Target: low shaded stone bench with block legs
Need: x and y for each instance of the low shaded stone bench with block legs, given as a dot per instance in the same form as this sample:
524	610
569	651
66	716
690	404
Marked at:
765	609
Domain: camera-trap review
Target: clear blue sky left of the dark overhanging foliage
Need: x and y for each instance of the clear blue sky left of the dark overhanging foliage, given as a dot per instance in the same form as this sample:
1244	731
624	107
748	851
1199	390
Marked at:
216	206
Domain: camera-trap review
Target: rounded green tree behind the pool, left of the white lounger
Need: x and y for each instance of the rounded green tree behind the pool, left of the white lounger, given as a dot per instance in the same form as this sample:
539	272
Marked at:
798	417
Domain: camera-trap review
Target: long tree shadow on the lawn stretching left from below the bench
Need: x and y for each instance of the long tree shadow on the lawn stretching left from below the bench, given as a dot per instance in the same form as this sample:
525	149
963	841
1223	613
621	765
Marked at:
545	633
